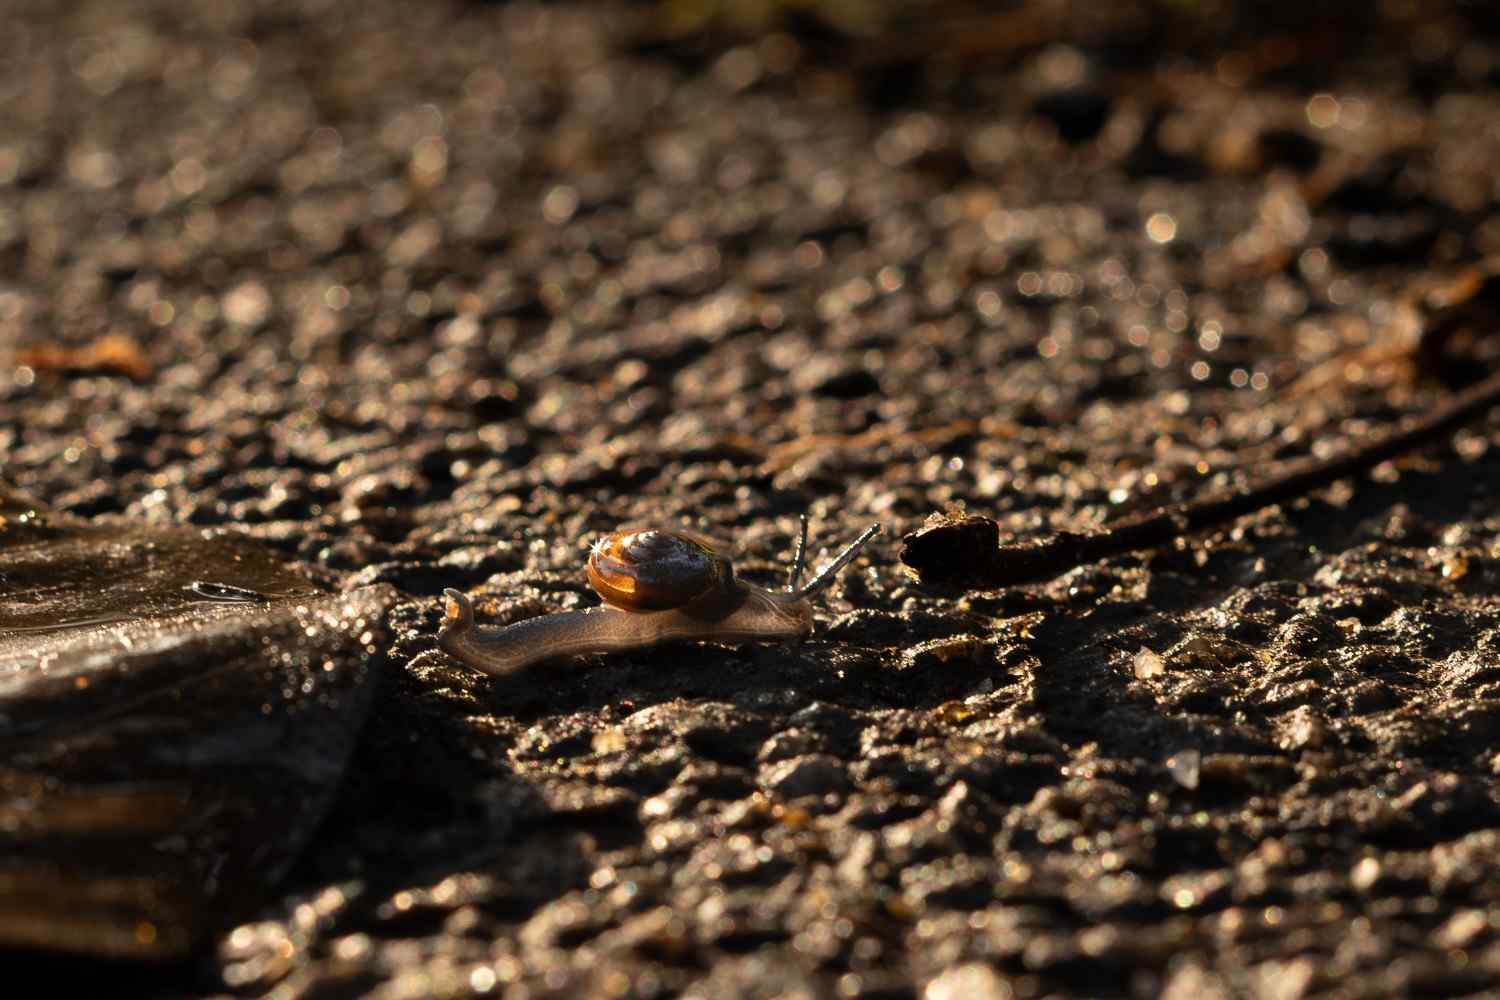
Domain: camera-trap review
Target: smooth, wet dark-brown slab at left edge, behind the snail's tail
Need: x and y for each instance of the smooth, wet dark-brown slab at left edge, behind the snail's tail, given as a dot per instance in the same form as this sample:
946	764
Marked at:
176	711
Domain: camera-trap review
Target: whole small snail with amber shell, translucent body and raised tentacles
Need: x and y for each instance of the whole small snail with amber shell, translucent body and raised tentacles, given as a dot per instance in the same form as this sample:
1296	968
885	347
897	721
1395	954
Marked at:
658	587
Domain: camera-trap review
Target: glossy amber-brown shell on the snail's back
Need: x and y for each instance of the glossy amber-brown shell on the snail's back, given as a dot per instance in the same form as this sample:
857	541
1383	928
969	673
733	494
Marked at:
655	570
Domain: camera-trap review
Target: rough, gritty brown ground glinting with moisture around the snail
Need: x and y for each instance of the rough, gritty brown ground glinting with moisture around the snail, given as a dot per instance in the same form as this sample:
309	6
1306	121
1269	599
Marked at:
433	295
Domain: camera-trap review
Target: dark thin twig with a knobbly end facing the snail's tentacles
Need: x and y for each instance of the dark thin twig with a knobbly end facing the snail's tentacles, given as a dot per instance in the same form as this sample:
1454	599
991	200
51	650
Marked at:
967	551
